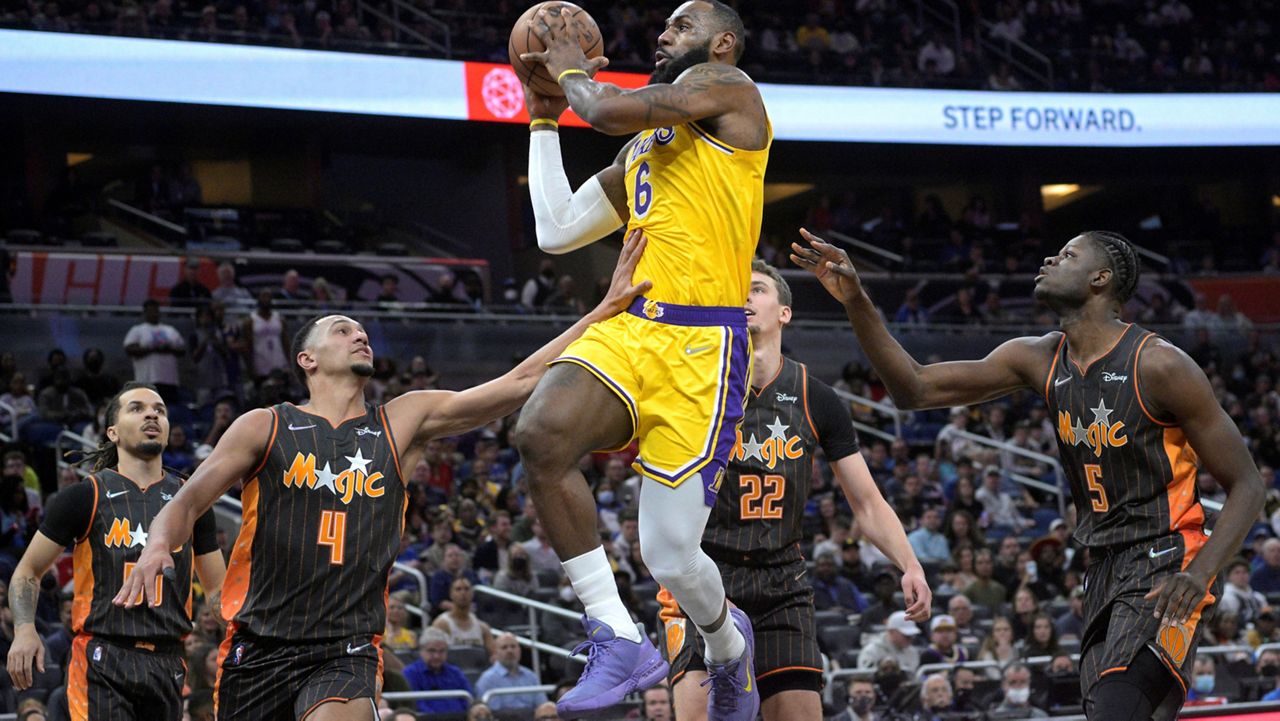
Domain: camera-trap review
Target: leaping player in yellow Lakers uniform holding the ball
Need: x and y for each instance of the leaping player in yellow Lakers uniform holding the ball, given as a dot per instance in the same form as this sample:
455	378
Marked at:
673	371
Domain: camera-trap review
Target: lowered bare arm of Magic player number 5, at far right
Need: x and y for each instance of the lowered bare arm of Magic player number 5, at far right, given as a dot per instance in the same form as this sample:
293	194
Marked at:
1177	390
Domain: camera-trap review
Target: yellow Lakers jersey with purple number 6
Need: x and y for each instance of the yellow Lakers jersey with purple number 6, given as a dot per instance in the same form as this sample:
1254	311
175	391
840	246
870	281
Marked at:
700	202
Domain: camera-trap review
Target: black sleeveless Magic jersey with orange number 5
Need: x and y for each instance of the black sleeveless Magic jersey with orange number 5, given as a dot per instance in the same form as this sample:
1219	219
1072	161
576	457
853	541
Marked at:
1132	476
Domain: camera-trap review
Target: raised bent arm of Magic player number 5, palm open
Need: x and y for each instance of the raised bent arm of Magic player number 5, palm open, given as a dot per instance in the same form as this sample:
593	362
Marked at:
1020	363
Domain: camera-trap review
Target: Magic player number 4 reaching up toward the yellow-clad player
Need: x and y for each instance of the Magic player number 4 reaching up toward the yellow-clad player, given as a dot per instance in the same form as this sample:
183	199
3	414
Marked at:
324	508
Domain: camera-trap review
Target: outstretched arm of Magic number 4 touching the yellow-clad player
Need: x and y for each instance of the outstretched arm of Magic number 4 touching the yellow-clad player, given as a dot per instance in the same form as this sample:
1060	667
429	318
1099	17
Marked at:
447	413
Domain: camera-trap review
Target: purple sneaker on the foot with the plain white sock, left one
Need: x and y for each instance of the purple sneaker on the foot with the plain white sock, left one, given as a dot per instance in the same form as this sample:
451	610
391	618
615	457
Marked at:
615	669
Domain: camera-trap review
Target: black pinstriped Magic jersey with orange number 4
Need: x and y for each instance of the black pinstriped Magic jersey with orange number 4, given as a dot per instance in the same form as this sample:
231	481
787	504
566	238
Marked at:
323	521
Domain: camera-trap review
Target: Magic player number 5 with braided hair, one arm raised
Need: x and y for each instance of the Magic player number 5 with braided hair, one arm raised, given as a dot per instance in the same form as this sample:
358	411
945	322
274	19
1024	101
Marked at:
1136	417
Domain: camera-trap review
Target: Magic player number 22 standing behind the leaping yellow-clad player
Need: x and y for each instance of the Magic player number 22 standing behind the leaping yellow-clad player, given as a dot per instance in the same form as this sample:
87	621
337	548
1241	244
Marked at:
755	531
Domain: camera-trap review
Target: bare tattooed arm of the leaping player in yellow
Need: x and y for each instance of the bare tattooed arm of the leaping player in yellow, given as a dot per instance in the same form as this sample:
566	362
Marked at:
708	90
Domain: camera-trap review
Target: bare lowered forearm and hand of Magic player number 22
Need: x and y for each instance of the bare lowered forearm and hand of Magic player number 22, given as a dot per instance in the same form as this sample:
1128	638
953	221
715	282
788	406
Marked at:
884	528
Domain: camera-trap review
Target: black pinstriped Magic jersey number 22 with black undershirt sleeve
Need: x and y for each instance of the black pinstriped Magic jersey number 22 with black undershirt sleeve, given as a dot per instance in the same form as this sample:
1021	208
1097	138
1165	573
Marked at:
758	515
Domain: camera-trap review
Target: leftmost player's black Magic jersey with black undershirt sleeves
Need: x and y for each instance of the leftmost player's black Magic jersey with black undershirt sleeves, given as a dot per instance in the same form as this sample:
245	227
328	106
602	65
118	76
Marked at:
107	521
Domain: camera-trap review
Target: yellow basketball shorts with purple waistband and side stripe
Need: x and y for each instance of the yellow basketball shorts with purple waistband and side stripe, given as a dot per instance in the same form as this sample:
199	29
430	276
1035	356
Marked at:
682	372
